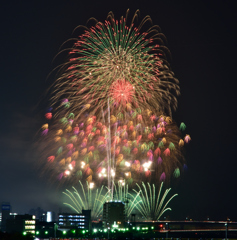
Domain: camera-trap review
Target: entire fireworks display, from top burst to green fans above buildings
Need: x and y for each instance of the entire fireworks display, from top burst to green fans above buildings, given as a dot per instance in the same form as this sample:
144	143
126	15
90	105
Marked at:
111	121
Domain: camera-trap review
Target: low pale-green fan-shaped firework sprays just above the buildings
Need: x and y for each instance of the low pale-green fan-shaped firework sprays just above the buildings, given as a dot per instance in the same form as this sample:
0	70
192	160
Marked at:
149	203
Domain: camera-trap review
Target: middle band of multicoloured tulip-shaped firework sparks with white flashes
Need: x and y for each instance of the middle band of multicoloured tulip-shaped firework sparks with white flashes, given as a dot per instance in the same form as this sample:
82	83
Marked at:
137	145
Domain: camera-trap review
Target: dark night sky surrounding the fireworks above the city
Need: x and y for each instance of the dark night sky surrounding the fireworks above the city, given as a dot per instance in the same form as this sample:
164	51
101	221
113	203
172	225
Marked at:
202	39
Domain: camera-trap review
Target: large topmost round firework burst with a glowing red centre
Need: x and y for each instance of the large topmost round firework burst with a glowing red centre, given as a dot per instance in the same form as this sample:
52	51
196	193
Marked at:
121	62
